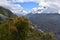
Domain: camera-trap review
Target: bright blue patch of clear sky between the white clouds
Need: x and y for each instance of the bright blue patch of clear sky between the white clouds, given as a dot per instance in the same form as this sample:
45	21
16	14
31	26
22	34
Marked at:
29	5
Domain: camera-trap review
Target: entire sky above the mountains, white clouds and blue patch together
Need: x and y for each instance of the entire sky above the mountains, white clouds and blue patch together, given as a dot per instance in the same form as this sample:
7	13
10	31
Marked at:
16	6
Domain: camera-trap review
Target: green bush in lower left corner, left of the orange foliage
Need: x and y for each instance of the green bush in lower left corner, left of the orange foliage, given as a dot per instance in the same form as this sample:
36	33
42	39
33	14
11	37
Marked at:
4	31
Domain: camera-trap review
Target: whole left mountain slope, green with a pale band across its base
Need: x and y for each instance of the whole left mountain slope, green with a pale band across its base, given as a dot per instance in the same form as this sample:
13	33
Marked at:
6	14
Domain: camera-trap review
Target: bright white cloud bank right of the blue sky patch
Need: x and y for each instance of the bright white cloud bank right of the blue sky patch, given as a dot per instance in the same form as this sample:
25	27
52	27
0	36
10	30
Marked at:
52	6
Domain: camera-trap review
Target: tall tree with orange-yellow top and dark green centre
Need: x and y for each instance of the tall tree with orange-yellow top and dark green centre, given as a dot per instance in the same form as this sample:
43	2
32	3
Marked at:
23	26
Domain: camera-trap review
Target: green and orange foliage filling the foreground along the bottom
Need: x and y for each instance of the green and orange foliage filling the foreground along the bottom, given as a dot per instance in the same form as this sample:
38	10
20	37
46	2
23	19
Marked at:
21	29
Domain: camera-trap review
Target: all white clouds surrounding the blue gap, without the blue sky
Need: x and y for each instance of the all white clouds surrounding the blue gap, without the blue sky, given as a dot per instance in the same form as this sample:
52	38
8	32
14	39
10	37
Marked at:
51	5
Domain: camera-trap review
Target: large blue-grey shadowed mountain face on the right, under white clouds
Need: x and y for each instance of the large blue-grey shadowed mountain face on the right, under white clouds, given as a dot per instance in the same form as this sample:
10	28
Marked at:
47	22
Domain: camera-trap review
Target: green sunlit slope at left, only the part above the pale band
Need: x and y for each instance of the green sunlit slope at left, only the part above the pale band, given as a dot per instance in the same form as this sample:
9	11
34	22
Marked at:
6	12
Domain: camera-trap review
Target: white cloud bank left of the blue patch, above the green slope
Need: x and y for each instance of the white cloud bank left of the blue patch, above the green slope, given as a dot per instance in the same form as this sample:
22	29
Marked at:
15	8
